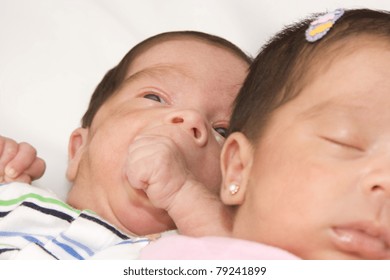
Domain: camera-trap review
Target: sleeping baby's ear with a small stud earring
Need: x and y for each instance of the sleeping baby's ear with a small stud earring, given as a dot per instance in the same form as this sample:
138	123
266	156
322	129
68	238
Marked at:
236	164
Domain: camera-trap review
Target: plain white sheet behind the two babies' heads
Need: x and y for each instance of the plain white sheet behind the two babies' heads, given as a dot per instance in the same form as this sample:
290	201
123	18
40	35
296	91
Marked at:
54	52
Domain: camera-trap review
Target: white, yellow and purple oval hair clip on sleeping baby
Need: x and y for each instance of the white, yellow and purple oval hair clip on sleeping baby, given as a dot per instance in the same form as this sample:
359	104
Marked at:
321	25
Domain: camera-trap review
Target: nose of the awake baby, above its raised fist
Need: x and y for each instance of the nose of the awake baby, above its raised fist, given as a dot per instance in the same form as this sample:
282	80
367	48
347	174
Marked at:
192	122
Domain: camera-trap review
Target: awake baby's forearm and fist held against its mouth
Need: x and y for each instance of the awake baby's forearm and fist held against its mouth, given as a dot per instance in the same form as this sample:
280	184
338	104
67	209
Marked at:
156	165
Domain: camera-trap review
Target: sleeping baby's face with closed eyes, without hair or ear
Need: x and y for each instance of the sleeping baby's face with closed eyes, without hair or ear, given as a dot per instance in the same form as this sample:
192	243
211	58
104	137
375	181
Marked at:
319	184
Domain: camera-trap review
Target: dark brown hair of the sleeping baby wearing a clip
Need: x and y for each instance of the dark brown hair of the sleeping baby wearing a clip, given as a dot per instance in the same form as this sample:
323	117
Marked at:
284	64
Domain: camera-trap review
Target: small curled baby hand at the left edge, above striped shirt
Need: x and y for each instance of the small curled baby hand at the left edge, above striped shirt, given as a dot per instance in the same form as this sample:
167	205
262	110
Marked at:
19	162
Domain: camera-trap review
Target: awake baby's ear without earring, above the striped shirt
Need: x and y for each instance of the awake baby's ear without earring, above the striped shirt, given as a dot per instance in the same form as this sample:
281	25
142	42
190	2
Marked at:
77	142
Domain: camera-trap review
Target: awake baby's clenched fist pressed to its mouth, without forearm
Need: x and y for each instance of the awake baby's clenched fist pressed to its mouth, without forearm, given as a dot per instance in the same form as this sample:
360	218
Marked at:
156	165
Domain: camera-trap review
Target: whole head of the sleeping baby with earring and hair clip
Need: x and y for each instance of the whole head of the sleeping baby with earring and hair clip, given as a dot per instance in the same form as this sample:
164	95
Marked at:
308	162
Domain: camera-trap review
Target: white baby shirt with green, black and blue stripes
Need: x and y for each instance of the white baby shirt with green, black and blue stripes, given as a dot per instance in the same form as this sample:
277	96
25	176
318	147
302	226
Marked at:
34	224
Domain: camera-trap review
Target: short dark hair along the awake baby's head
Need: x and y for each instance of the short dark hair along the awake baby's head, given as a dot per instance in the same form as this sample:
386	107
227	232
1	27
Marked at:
114	77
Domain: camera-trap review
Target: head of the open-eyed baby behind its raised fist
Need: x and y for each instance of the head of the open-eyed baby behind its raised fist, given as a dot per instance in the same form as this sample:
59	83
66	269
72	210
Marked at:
179	85
